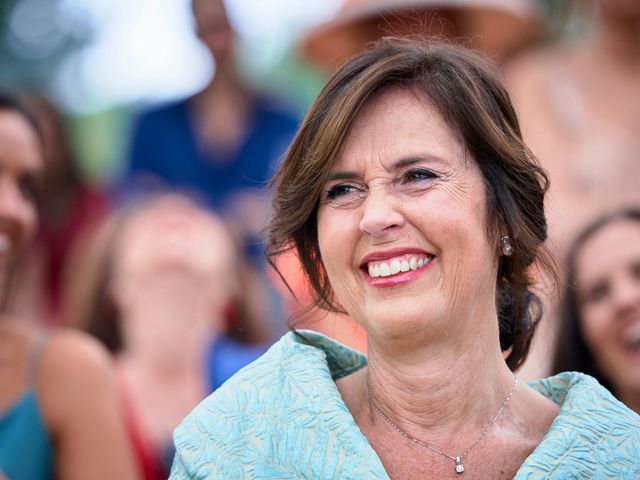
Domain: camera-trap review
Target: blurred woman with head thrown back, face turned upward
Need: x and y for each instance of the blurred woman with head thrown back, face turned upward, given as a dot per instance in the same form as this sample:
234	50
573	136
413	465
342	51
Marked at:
163	288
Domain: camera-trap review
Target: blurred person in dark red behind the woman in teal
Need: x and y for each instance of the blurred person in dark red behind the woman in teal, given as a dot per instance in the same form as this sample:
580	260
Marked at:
69	209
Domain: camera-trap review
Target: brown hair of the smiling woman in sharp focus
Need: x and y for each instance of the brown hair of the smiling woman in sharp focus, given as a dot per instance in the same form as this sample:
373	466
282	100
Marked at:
467	92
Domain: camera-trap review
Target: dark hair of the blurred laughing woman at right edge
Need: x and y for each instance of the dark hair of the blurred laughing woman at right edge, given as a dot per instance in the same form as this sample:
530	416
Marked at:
571	351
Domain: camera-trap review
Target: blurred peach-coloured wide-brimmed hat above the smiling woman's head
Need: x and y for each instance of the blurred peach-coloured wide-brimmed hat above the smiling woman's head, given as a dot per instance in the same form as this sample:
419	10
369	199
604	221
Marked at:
495	27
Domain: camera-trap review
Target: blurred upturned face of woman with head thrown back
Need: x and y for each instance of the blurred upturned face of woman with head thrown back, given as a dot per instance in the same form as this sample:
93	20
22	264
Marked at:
176	255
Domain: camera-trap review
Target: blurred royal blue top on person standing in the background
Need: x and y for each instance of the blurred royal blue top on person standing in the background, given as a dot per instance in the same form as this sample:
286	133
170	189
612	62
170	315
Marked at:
164	149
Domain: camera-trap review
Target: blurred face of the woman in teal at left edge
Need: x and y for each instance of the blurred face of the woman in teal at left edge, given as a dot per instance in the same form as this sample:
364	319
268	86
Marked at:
21	168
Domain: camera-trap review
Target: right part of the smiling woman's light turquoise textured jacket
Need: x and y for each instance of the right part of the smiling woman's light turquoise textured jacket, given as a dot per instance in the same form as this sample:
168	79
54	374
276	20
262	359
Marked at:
593	436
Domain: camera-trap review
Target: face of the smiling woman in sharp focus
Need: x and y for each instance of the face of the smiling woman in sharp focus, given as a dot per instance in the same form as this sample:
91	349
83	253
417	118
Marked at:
402	227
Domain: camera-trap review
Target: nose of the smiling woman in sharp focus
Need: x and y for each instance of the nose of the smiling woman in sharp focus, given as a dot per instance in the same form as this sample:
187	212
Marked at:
381	215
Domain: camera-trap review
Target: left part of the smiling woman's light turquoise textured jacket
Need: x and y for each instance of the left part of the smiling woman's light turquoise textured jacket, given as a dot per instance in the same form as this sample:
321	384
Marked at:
276	407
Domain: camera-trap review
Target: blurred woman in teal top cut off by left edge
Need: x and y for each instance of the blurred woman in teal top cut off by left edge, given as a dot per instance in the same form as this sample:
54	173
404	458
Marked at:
58	406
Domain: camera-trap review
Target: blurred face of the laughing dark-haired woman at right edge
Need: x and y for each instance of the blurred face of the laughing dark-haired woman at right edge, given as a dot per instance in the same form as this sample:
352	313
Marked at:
608	295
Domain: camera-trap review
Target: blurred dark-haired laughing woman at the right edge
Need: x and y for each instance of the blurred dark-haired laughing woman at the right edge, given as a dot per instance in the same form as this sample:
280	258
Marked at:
600	333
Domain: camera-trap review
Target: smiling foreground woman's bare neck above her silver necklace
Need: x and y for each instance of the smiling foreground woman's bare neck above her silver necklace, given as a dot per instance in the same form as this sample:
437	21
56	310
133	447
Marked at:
443	391
